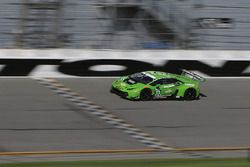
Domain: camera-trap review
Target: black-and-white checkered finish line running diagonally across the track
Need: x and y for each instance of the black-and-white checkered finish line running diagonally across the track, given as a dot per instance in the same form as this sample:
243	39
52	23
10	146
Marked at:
92	108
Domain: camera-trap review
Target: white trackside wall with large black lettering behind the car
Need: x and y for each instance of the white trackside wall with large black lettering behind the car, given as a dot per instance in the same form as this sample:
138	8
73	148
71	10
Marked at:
109	63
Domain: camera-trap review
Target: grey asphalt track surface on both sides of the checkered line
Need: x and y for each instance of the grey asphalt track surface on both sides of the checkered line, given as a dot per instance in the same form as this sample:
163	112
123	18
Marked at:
33	118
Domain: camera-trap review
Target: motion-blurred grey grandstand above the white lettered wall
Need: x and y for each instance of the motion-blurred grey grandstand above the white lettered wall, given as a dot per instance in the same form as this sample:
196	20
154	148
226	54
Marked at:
125	24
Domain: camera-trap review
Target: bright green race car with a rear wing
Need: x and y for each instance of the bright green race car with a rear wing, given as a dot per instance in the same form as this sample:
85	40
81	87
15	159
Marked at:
154	85
